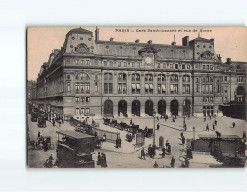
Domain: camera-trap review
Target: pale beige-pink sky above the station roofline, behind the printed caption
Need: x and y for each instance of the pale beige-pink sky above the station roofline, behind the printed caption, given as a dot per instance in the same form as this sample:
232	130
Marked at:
229	42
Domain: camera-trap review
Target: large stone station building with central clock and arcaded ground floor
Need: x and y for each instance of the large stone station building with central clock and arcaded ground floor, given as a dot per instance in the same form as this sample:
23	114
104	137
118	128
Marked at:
105	78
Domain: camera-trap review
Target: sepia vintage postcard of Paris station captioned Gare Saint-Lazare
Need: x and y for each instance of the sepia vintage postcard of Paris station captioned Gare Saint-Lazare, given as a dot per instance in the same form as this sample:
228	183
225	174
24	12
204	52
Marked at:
136	97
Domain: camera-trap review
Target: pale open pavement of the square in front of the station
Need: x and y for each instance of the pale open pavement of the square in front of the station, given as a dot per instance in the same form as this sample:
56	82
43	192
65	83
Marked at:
128	156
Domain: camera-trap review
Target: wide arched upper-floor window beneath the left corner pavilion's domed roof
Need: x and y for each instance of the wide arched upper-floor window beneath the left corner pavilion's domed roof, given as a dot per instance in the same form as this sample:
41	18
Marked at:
82	84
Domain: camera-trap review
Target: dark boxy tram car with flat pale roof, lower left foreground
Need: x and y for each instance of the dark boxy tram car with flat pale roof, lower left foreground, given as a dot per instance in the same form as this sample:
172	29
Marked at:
74	150
